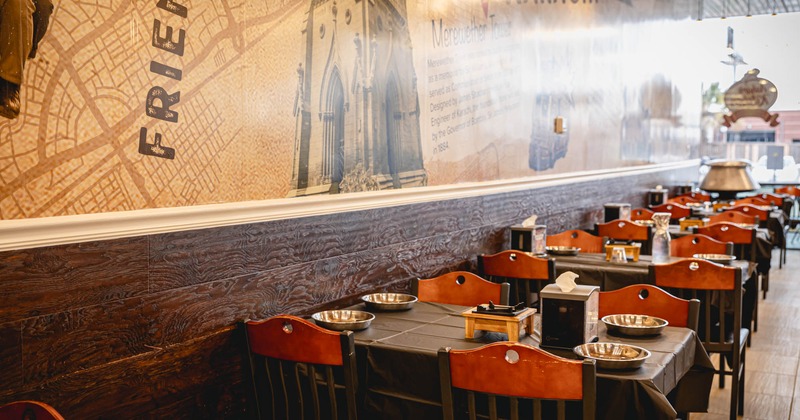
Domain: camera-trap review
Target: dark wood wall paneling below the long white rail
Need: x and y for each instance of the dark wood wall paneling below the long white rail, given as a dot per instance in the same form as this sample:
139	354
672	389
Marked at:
145	326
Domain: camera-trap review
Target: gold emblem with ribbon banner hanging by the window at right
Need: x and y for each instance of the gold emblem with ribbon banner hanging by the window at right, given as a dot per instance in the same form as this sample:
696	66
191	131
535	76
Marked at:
752	96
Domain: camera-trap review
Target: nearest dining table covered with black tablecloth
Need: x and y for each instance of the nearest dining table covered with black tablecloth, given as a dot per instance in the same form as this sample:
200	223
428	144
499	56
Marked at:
399	372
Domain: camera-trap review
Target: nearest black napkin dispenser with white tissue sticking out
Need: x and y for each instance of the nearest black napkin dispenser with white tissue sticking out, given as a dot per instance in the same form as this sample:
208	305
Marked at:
569	318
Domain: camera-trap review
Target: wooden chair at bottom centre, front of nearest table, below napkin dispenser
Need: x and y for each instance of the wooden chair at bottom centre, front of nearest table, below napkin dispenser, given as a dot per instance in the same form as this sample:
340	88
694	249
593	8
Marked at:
531	378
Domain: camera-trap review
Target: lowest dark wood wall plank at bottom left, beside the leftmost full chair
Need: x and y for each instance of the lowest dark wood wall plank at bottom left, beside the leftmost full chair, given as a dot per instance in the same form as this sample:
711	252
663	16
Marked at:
199	379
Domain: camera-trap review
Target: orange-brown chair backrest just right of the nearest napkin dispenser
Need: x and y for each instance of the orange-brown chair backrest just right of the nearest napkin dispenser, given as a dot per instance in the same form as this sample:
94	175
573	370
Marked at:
646	299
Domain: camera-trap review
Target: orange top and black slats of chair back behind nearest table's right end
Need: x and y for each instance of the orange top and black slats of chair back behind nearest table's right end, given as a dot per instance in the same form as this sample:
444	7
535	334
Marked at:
697	279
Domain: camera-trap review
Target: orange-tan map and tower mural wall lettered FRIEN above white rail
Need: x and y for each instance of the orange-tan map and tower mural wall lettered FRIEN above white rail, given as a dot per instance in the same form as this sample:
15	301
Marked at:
120	105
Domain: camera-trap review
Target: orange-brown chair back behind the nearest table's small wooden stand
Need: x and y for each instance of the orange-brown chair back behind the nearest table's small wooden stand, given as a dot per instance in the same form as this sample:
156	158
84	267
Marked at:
460	288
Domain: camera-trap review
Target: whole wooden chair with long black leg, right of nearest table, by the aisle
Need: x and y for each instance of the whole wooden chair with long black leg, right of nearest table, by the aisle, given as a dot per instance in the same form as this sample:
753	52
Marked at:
700	279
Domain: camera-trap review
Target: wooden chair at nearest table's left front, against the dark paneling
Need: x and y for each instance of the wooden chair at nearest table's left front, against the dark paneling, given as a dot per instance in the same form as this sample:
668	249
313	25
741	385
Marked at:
290	359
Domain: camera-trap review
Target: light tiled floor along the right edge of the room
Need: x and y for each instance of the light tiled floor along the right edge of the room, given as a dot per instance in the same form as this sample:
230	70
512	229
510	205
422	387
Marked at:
772	389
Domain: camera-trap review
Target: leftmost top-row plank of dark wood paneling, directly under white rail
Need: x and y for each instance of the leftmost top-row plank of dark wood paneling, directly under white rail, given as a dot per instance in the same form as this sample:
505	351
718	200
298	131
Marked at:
47	280
